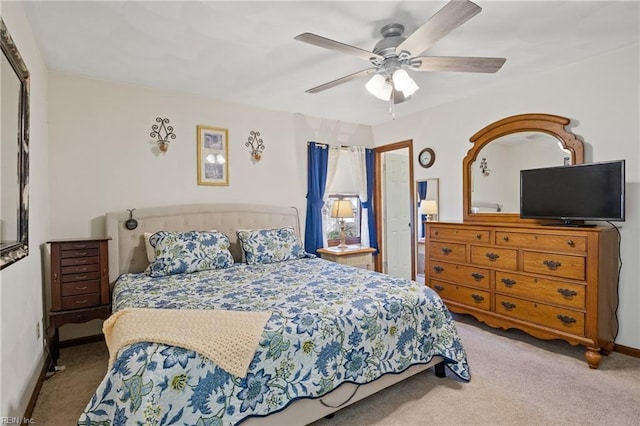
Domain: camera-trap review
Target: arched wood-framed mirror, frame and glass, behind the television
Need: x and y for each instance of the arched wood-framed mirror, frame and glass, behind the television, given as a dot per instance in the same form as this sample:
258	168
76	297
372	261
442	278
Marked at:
491	168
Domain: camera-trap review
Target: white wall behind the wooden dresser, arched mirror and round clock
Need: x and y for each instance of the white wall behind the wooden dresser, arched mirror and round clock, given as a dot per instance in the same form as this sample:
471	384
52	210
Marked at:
600	95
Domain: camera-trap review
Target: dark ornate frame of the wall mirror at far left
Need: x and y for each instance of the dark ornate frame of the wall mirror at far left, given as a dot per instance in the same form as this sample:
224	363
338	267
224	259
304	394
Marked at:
14	250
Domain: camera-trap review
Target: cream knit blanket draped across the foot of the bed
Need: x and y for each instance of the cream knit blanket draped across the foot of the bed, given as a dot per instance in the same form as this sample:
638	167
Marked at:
228	338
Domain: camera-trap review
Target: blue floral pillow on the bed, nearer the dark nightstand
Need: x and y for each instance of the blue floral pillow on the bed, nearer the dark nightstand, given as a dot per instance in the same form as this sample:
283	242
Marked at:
187	252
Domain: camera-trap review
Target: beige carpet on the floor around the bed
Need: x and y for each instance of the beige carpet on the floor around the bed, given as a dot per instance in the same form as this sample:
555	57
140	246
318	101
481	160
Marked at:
516	380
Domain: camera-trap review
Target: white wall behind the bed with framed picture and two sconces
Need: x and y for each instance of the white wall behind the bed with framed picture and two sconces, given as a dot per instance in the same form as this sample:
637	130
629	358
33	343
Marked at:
103	158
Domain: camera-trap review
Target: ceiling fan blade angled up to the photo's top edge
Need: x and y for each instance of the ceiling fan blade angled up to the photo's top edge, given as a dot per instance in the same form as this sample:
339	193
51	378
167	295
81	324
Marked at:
450	17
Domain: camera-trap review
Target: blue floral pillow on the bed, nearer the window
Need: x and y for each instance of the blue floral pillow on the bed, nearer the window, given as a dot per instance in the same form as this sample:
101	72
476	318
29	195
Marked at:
270	245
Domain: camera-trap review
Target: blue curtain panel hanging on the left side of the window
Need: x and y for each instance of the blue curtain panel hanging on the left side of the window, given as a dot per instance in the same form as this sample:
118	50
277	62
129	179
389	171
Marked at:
317	161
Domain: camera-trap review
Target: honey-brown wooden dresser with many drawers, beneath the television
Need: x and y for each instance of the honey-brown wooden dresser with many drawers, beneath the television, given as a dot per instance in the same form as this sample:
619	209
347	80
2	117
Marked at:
551	282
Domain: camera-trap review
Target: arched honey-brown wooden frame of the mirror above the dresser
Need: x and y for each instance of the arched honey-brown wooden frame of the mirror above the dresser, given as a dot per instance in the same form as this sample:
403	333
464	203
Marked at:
553	125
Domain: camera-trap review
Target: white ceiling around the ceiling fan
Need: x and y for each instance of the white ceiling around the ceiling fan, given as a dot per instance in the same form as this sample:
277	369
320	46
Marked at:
245	52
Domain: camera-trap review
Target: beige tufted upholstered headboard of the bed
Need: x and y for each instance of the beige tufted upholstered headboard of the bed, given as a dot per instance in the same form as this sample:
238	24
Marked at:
126	247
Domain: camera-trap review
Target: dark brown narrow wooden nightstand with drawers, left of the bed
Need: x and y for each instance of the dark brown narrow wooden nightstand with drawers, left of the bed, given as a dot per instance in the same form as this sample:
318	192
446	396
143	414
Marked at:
79	285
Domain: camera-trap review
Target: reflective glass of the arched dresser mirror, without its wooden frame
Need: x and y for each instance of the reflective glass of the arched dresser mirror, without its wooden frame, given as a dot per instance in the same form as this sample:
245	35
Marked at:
495	174
